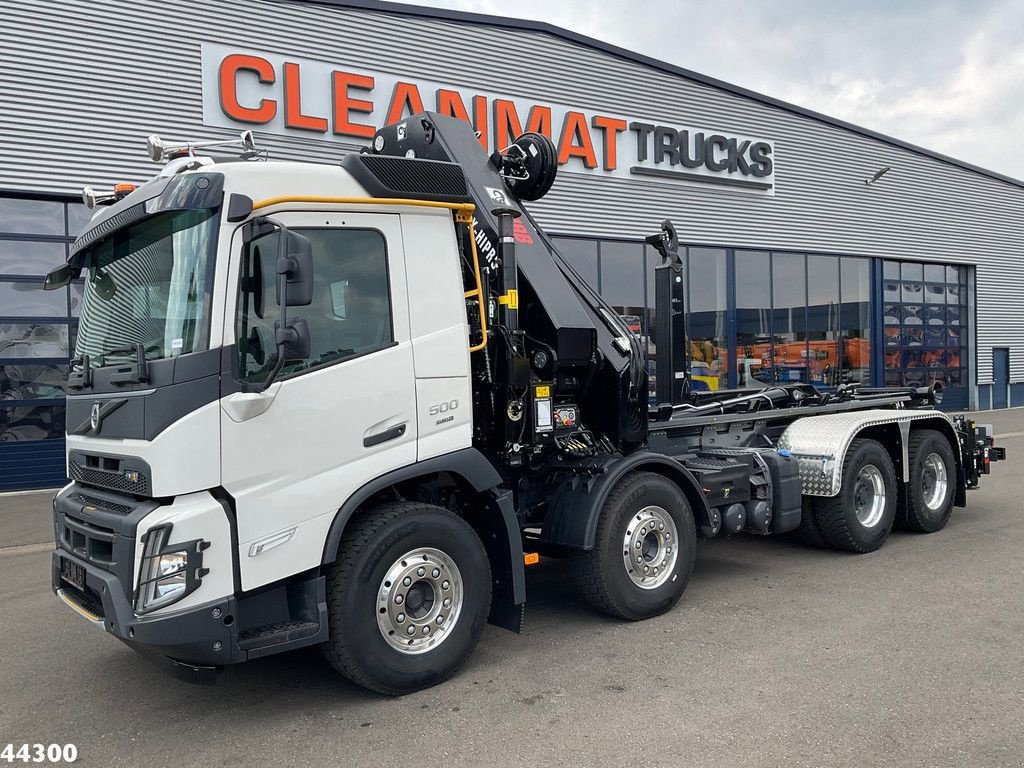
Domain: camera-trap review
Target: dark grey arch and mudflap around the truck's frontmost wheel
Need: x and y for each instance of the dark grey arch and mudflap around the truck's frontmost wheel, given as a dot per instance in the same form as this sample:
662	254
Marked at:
493	519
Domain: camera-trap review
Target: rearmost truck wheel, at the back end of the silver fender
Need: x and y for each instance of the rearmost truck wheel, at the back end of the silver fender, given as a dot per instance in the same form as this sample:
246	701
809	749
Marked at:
933	475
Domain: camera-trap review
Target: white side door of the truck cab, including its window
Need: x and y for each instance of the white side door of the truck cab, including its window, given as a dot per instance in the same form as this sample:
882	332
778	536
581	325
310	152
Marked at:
290	456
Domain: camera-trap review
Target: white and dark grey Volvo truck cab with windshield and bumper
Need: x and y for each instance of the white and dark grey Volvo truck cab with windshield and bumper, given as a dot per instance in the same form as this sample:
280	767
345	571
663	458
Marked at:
186	458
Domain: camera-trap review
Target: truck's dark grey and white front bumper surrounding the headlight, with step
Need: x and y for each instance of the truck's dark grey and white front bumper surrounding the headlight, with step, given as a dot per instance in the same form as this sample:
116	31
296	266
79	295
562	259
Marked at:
94	572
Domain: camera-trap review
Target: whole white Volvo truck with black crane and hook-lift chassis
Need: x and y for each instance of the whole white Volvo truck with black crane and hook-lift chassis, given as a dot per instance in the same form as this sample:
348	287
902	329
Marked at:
347	405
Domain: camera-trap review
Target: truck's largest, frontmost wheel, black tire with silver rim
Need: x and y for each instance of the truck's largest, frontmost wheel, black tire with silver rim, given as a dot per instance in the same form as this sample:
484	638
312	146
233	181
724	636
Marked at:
406	567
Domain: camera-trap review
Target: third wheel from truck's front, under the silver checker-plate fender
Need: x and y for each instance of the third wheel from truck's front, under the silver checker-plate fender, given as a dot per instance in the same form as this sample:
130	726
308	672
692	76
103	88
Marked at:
861	518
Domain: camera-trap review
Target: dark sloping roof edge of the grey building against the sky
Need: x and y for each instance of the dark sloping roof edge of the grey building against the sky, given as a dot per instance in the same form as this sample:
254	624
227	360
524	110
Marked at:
446	15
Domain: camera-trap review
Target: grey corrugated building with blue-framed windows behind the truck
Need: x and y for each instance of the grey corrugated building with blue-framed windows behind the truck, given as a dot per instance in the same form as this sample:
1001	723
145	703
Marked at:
816	250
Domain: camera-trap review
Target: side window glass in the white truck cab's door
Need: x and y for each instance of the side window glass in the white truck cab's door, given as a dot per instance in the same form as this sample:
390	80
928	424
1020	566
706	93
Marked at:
351	314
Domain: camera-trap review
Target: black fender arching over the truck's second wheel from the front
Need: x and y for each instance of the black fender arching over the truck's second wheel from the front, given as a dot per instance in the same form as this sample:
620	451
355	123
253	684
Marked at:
575	510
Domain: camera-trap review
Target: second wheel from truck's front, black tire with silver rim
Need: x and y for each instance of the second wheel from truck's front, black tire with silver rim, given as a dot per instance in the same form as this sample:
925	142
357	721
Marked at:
644	552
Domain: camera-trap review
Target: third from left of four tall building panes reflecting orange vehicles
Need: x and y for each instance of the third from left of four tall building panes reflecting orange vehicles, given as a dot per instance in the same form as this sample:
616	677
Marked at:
823	321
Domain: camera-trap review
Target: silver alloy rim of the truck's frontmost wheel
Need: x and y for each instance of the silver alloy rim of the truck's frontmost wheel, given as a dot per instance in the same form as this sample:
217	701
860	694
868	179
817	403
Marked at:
420	601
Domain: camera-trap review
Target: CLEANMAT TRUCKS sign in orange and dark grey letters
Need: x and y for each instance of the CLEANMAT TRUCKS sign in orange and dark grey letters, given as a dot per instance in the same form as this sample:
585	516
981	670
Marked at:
289	96
